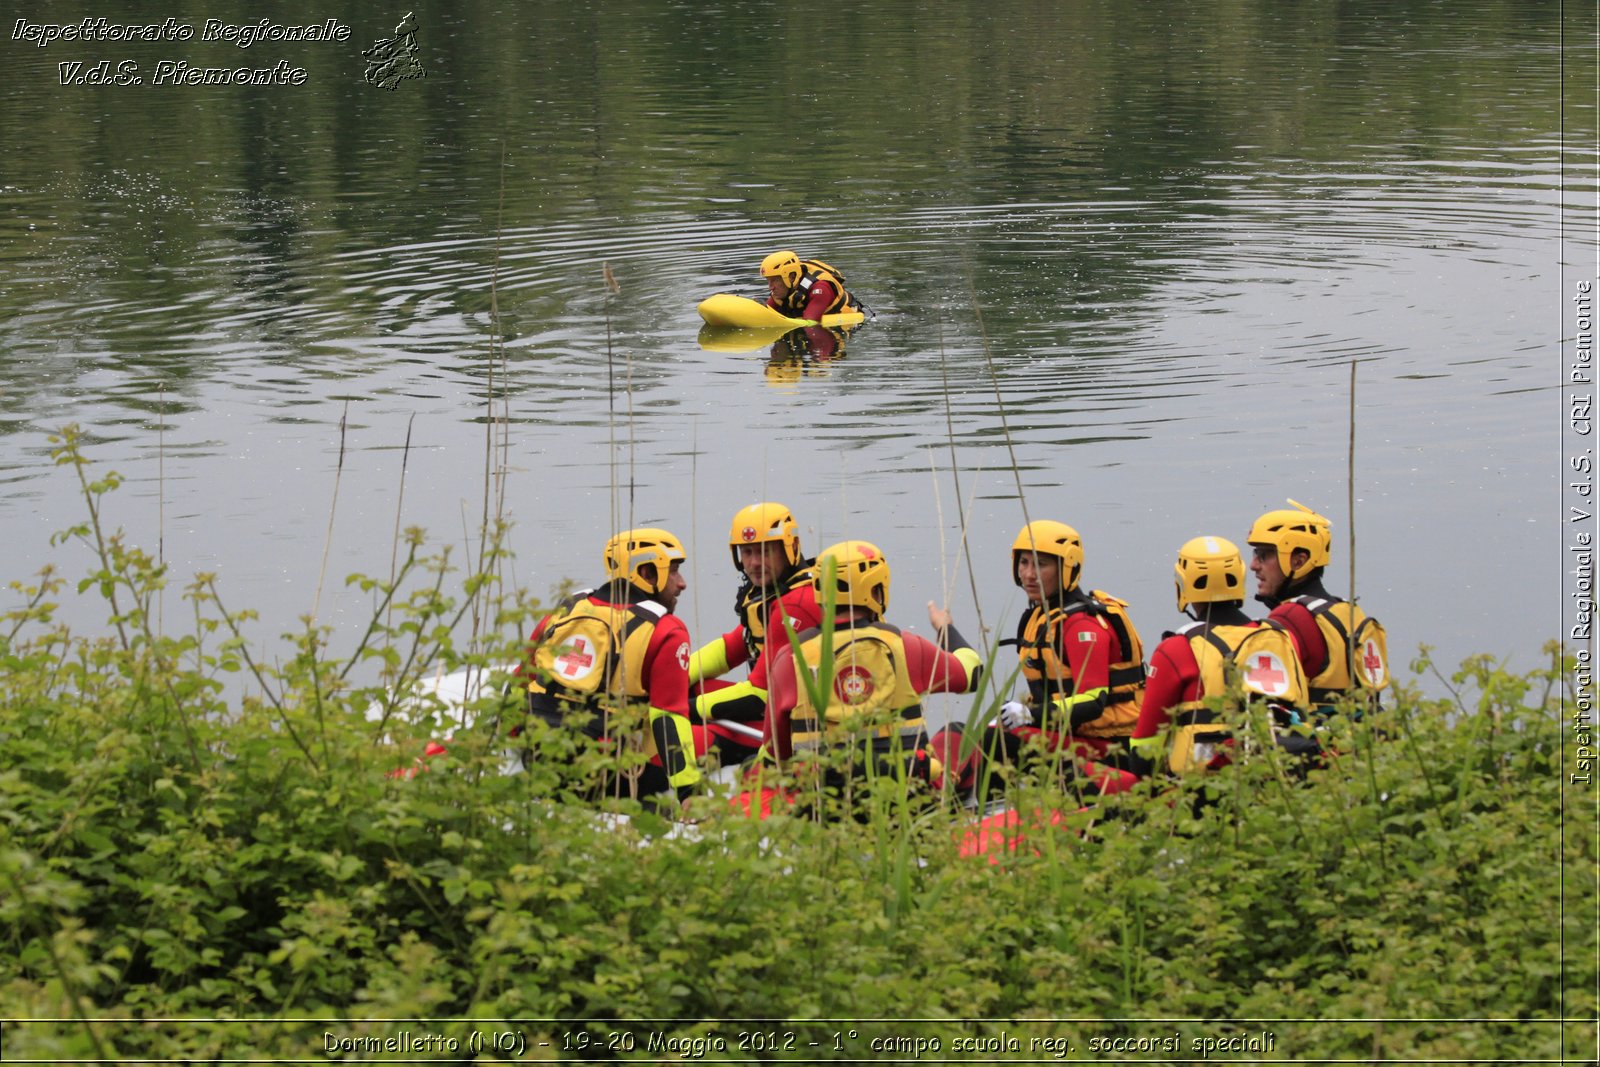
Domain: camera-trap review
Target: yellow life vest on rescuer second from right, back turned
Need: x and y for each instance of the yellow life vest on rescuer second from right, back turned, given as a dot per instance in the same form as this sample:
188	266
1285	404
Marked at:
1265	668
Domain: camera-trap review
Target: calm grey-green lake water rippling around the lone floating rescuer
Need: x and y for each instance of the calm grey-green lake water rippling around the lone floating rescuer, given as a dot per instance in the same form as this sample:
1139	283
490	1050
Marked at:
1122	258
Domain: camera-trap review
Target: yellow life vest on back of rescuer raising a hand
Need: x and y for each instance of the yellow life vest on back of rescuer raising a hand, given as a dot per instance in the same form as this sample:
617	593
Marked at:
870	693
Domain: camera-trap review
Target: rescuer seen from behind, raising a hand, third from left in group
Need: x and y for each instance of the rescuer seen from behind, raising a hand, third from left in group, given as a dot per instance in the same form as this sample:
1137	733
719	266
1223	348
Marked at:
873	697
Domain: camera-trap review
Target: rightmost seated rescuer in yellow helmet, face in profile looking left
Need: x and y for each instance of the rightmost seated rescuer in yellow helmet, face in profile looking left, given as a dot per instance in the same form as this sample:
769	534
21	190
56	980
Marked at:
1345	652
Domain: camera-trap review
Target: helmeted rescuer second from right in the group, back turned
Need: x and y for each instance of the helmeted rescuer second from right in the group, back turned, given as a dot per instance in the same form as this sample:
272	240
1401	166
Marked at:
1193	665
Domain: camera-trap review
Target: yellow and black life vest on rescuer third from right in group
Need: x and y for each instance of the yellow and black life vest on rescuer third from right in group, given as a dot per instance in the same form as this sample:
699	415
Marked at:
1050	679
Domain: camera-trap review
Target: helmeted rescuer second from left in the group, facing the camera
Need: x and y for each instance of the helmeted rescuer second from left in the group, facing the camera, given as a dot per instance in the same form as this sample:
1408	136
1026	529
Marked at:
777	597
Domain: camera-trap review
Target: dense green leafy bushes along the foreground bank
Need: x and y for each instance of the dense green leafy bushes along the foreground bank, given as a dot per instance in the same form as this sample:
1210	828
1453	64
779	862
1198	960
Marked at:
196	831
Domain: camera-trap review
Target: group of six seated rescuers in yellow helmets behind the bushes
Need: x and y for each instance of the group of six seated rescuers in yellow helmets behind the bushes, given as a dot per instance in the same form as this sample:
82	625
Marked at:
1092	708
